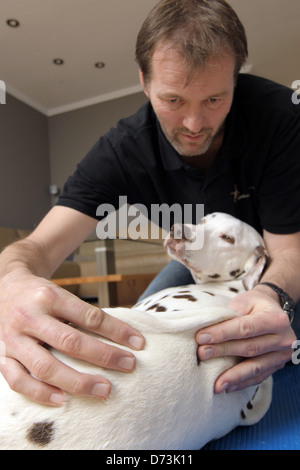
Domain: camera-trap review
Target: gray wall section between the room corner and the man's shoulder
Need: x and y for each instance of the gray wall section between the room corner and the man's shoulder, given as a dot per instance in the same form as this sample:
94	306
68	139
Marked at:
72	134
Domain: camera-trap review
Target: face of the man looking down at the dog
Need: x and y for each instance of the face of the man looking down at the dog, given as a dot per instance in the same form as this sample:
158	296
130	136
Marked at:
191	112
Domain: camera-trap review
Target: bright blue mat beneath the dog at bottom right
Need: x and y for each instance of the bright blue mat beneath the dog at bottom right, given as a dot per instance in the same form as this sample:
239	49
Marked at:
280	427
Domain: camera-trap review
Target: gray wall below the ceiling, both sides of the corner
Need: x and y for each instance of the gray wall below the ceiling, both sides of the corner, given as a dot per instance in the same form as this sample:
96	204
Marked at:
37	151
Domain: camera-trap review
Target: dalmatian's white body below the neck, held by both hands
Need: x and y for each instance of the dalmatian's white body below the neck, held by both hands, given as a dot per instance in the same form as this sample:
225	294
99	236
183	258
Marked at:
167	402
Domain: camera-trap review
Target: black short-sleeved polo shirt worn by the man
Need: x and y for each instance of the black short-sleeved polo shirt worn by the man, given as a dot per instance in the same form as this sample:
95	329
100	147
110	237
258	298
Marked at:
255	176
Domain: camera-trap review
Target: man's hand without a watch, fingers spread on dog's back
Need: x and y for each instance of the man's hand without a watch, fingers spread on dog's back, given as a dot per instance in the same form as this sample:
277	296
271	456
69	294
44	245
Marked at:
34	312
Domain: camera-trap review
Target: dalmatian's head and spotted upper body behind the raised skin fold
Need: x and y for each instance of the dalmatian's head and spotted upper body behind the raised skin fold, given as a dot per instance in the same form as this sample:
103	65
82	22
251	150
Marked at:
225	257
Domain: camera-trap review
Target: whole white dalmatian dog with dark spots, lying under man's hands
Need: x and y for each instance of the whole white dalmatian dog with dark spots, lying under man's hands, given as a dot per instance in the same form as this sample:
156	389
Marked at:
168	401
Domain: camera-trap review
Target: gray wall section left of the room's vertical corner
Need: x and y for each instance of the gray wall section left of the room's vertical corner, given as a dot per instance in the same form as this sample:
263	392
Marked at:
25	168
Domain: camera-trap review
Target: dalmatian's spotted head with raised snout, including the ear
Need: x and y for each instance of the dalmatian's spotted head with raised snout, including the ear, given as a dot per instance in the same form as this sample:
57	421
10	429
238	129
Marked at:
231	249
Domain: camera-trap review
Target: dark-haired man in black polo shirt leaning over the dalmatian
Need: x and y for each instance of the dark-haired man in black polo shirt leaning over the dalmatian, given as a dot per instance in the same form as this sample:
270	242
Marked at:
207	136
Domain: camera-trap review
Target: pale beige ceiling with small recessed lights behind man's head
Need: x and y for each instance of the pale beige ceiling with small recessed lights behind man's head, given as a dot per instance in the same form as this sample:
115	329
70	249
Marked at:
84	32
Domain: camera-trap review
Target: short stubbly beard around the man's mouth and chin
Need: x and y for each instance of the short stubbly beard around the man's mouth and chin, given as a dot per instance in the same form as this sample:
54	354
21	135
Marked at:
200	148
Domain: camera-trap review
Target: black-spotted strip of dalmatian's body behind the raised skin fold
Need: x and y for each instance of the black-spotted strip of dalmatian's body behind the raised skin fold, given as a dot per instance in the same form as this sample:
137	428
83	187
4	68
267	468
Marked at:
191	296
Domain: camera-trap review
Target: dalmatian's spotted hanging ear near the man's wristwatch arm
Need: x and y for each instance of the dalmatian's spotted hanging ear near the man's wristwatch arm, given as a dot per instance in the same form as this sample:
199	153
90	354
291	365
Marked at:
255	267
